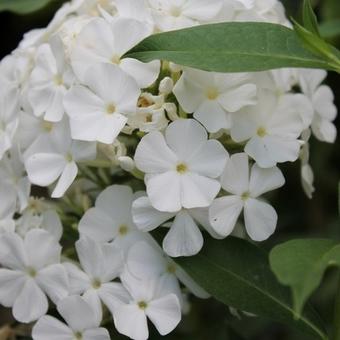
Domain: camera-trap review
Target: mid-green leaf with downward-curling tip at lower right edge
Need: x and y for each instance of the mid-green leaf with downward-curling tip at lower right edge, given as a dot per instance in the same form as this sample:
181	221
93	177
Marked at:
301	264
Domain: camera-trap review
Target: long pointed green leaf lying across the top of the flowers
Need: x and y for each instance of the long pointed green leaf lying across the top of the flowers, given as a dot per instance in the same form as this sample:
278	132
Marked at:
229	47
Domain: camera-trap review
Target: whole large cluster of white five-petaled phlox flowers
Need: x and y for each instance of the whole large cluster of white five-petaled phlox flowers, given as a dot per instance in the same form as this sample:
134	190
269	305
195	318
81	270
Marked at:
123	147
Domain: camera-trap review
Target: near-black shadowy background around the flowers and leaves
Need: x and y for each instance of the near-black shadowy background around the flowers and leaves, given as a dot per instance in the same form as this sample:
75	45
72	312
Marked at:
298	216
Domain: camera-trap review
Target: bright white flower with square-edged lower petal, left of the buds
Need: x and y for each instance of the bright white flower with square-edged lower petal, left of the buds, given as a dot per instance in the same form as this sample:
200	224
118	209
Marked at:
98	108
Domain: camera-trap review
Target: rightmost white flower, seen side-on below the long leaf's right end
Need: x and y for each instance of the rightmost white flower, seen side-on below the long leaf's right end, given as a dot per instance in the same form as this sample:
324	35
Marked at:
322	100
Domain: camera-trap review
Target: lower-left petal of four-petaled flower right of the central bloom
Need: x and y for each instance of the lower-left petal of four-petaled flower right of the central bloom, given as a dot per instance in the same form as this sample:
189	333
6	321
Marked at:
224	213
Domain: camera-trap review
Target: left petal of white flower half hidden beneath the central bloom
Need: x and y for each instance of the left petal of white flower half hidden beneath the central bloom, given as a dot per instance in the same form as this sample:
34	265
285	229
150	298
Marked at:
146	217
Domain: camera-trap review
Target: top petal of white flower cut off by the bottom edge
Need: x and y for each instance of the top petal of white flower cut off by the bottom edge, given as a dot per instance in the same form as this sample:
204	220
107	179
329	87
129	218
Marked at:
77	313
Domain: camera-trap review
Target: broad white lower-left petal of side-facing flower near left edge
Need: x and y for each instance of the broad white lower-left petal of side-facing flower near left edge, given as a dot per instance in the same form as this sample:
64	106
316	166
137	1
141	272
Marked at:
44	168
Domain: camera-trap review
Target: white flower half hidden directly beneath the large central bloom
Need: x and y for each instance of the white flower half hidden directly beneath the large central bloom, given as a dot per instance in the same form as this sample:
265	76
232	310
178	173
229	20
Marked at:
184	237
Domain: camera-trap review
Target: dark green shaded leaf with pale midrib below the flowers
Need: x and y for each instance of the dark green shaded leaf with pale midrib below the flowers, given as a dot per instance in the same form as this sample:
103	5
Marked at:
237	273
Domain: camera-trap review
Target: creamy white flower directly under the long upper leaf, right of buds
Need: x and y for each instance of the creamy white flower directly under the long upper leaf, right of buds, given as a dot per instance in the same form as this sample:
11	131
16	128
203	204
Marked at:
211	96
